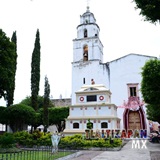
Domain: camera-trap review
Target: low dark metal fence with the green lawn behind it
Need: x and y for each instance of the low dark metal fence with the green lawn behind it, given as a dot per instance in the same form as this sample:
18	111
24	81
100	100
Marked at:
43	153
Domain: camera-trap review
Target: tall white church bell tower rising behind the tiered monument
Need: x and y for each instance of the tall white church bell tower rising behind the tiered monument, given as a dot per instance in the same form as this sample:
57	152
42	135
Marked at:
88	55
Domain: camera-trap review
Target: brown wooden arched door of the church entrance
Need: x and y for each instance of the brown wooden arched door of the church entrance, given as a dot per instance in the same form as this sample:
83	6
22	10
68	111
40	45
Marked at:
134	121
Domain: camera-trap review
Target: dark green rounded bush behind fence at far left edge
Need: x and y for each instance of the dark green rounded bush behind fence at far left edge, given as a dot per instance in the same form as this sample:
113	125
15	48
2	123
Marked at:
7	140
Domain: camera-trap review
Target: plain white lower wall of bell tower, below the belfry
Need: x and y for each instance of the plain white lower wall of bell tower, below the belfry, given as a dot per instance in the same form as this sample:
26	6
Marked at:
87	70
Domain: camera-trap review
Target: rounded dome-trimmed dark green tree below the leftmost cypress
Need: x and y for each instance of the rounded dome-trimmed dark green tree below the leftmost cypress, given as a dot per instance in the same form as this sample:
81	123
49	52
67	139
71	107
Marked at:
19	116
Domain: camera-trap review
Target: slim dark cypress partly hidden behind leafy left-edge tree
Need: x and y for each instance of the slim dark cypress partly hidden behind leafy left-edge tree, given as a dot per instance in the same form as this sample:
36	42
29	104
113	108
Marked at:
10	93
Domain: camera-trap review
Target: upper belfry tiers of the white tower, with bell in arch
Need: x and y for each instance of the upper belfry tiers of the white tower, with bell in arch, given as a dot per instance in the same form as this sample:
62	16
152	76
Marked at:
87	46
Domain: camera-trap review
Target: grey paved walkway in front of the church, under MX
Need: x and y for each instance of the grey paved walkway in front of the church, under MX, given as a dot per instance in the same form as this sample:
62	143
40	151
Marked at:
151	152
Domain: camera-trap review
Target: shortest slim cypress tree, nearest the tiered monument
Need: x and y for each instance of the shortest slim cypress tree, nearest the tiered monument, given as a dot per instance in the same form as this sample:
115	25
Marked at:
46	104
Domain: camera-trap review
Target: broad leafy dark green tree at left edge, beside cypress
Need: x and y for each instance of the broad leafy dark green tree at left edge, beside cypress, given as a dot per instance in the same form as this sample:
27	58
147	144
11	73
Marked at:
7	61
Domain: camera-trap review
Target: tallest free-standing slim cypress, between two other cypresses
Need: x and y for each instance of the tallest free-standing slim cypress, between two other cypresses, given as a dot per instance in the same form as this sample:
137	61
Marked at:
35	71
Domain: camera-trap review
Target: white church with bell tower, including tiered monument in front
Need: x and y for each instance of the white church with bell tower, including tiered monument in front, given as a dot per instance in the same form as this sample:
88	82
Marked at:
107	93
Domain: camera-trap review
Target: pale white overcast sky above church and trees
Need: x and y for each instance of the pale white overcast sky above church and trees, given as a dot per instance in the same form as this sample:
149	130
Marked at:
122	31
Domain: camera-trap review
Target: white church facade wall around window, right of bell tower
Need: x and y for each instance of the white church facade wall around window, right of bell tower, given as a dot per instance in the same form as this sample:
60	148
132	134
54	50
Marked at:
123	71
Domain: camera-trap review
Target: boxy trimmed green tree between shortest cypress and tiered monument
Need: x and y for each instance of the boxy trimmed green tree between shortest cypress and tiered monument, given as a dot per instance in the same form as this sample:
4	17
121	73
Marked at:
57	116
